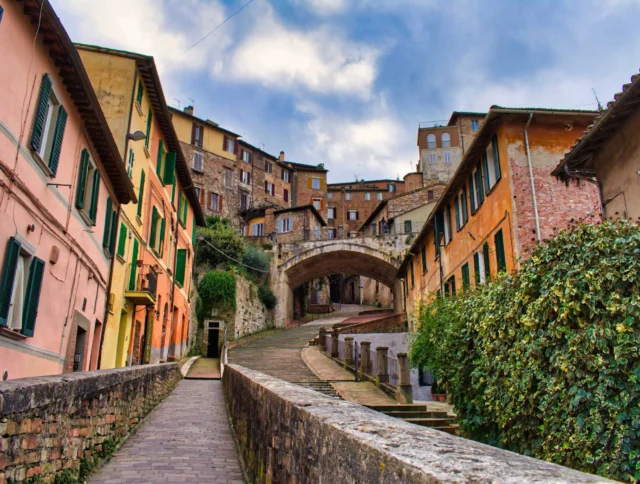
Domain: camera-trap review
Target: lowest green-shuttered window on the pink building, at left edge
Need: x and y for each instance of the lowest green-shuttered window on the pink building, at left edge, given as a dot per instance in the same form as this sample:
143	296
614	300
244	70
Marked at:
22	277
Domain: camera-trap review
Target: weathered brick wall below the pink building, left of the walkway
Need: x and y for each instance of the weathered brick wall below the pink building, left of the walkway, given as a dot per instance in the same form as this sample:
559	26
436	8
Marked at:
56	423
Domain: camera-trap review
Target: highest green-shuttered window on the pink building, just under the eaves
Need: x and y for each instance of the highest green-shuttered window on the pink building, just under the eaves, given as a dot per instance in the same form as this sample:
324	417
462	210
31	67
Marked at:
49	123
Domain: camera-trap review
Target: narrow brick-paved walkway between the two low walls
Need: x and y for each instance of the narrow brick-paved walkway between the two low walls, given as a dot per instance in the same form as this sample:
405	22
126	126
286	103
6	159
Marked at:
186	439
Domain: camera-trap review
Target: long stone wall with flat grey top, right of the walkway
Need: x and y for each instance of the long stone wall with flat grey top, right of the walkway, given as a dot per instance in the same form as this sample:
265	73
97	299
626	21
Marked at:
292	434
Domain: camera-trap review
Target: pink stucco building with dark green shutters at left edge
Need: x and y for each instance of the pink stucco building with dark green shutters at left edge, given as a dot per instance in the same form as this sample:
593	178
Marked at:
62	181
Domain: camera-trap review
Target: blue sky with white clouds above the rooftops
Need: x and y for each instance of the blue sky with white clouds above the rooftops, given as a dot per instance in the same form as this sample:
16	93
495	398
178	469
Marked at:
346	82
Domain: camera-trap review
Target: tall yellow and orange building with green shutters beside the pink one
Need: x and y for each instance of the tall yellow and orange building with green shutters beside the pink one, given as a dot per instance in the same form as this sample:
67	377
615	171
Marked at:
150	281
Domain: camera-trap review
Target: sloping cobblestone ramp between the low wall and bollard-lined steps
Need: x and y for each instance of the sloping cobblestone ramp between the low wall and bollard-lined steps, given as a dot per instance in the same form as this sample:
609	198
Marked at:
279	355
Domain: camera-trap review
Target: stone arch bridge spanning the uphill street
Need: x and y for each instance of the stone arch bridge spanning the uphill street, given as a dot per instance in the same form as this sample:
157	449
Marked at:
298	263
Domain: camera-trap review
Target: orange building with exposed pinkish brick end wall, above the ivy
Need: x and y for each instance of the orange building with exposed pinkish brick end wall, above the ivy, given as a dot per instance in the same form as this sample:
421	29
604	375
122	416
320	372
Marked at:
500	203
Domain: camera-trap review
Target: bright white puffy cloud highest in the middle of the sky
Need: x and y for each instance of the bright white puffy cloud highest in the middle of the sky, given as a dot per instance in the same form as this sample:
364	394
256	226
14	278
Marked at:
320	60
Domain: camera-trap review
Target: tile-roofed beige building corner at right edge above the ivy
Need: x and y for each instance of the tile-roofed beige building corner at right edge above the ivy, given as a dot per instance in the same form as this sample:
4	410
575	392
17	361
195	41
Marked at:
609	153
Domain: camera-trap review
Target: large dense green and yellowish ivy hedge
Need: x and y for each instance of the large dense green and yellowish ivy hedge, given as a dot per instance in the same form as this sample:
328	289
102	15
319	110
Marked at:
546	361
